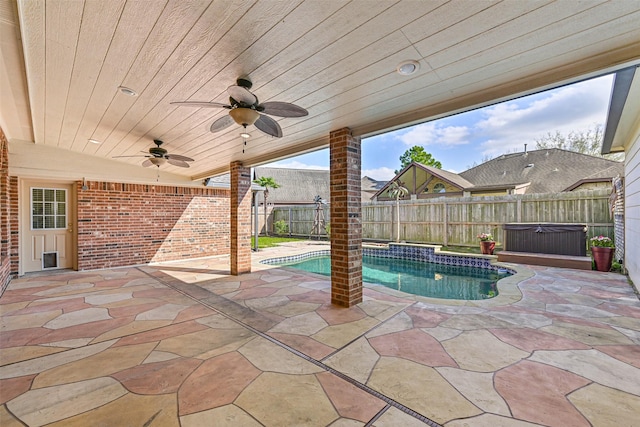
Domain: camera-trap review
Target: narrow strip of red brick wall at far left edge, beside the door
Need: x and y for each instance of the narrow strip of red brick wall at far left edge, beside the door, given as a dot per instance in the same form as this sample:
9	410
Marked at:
8	218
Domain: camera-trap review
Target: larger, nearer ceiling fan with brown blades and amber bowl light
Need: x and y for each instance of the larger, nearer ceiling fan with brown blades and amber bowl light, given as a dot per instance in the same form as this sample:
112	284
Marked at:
245	110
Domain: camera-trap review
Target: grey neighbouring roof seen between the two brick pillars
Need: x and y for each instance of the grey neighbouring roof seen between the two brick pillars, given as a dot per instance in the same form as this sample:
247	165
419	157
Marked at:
297	186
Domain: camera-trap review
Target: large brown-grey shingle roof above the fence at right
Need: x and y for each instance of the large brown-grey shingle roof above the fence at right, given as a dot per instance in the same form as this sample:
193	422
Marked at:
550	170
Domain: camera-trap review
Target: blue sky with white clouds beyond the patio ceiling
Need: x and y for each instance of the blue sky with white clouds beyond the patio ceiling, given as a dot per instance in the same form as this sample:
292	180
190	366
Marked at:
464	139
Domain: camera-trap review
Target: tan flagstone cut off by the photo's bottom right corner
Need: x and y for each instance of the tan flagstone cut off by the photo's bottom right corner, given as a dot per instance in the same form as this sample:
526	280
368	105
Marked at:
604	406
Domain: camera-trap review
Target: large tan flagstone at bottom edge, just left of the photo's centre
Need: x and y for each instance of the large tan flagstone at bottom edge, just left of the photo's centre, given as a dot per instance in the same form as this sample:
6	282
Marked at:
284	400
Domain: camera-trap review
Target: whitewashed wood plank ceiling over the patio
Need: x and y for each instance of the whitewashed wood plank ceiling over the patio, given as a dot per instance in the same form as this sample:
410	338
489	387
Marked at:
335	58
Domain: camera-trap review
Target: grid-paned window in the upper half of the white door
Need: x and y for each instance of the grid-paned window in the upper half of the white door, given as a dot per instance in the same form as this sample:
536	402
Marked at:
48	208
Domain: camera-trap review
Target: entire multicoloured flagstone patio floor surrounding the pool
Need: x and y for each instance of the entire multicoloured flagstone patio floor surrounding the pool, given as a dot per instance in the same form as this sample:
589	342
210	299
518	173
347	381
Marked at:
186	344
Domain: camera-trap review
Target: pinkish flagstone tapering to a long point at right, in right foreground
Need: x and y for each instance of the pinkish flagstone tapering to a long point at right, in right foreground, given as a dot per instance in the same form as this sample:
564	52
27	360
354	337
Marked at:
530	339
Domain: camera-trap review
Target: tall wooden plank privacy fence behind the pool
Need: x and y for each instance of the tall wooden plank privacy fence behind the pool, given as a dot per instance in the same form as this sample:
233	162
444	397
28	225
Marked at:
457	221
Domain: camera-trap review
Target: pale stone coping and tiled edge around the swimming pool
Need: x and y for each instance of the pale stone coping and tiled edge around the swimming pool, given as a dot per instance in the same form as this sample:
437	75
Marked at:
508	290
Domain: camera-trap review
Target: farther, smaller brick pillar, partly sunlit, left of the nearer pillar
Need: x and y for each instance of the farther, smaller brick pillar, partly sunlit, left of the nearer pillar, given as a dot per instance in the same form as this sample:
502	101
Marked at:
240	219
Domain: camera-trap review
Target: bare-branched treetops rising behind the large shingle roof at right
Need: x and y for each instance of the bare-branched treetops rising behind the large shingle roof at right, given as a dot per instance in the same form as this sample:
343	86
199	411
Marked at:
585	142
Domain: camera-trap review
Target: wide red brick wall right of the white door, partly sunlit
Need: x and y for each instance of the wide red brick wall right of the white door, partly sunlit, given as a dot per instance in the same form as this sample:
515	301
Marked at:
127	224
